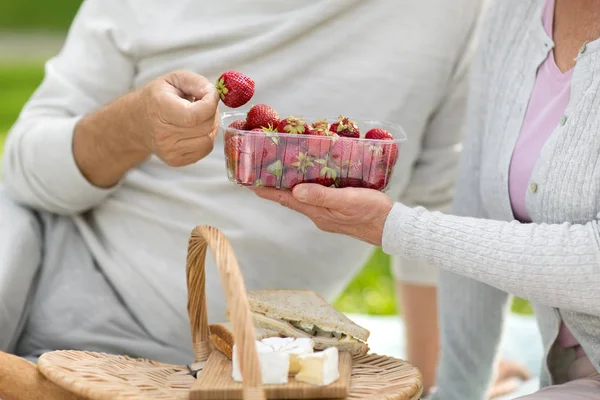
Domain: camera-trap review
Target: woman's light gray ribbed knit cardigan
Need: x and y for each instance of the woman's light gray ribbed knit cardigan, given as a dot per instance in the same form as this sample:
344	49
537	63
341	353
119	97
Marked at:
555	261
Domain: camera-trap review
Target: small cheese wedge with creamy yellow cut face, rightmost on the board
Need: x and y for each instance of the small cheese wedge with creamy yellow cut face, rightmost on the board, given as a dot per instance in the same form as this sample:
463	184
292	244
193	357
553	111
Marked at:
321	368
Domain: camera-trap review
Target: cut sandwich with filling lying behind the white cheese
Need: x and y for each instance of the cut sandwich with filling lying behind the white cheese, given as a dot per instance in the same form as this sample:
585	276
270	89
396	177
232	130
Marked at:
296	314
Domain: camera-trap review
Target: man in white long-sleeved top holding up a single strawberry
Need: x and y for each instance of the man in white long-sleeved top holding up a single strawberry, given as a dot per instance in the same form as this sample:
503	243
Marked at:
116	157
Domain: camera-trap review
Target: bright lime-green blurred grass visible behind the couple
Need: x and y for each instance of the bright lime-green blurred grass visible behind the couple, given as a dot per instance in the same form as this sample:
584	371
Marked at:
372	291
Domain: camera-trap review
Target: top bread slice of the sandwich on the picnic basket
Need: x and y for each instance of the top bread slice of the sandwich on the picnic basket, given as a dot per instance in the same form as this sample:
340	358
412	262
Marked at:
304	306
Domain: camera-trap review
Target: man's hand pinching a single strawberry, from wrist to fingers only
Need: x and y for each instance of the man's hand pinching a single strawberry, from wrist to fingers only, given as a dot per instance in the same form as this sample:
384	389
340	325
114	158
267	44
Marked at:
177	117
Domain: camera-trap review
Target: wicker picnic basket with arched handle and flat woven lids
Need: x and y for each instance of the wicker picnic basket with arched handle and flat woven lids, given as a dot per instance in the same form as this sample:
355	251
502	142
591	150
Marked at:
100	376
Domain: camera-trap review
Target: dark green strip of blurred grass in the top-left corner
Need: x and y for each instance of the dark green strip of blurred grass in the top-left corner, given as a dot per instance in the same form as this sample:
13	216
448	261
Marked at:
44	15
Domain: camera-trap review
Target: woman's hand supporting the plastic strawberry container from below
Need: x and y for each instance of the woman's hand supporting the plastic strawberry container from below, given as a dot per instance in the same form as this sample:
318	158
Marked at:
356	212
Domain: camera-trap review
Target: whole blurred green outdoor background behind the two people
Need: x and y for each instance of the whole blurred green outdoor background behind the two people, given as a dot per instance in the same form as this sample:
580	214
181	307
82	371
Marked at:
32	30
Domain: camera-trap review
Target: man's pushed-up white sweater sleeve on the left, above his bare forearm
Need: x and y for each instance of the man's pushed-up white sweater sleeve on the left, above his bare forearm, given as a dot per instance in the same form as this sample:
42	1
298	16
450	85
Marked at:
94	66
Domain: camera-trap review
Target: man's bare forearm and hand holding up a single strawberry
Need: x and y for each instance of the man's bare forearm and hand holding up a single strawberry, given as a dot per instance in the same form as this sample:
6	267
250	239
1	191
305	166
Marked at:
174	117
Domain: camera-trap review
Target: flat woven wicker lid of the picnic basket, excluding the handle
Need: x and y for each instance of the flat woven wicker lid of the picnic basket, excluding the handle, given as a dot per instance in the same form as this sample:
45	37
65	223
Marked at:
101	376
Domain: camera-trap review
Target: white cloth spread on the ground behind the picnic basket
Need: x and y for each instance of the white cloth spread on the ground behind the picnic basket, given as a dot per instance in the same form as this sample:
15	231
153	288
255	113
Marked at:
521	342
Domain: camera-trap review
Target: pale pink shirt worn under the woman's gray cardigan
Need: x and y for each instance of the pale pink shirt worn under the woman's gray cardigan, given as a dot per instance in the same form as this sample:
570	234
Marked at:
549	99
